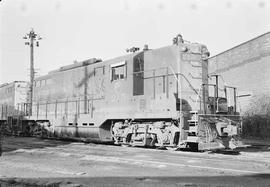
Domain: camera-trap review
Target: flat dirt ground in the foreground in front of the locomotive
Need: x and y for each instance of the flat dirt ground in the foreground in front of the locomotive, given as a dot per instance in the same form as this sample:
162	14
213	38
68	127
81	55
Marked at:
43	162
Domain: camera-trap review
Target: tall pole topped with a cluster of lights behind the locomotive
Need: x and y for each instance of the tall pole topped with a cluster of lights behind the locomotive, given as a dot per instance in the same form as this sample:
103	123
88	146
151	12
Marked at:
32	40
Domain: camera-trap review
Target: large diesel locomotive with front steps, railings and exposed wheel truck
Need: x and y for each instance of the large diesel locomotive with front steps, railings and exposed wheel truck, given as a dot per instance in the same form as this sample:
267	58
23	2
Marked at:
154	98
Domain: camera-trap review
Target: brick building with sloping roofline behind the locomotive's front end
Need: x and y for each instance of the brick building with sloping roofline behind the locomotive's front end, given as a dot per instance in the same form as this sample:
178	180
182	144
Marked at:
247	67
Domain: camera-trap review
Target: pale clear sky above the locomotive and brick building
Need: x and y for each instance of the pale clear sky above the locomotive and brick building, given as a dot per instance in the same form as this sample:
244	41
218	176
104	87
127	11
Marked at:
82	29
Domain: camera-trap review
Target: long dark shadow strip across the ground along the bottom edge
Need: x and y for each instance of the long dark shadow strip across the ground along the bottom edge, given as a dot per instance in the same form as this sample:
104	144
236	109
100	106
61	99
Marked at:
189	181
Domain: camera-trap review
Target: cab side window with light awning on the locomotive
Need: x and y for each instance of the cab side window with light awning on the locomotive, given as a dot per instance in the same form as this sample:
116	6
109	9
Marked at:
118	71
